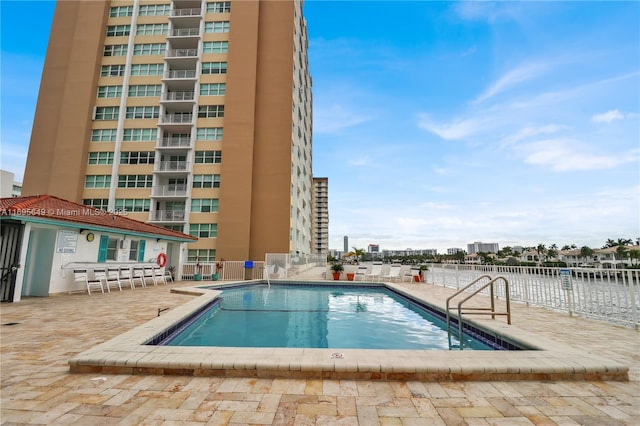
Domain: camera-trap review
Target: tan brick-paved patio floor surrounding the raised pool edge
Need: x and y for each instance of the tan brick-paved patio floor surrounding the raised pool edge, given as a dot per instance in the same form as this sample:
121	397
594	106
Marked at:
37	387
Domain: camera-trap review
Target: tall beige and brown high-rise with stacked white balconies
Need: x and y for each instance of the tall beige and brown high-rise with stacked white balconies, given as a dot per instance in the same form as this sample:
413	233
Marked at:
193	115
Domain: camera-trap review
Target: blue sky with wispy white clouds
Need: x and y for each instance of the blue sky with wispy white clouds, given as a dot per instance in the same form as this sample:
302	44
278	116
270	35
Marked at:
443	123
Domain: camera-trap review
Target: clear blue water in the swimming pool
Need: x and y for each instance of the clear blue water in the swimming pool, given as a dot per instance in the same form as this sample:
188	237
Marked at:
301	316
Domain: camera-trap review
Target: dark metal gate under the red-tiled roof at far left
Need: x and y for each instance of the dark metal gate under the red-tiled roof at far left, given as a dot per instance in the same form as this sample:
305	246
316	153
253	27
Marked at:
11	232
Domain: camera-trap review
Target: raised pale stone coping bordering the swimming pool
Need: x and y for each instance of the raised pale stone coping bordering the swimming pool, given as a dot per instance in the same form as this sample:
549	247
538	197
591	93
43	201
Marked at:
128	354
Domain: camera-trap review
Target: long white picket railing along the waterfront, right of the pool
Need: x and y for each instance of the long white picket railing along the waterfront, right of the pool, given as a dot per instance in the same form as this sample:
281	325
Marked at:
611	295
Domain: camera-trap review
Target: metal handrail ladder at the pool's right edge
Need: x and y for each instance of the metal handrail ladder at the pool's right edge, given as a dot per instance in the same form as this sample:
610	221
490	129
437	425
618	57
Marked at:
479	311
